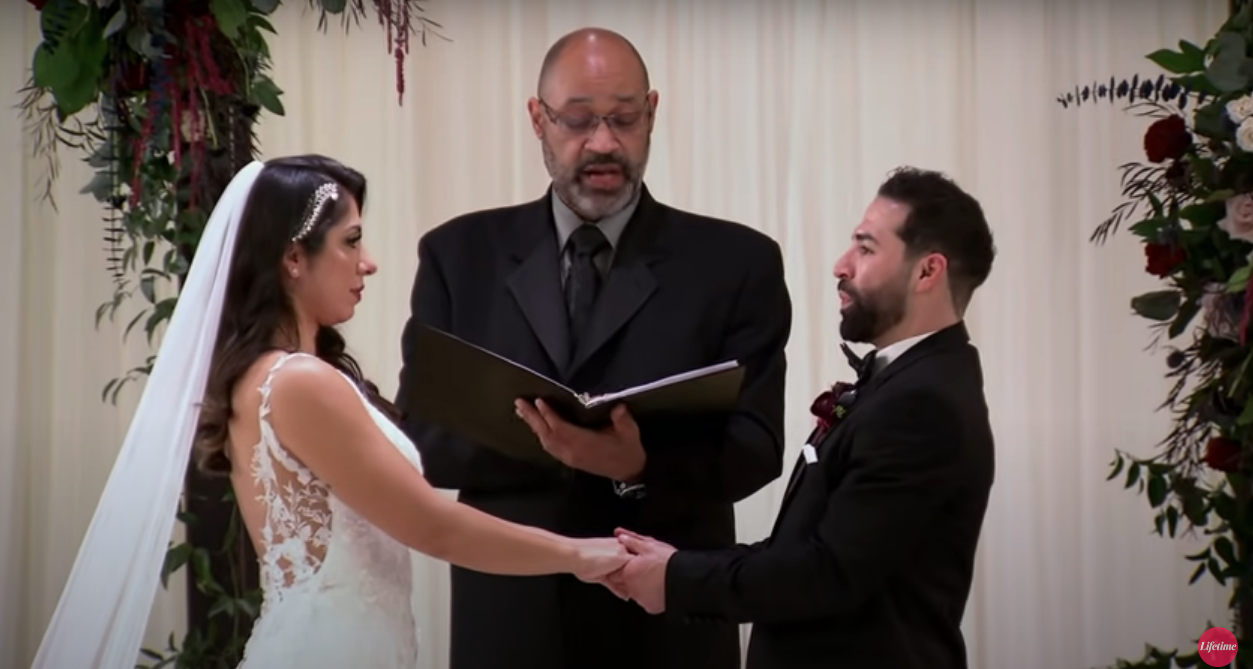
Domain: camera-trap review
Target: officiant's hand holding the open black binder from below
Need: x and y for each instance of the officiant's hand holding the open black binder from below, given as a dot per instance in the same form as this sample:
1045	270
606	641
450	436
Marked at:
615	453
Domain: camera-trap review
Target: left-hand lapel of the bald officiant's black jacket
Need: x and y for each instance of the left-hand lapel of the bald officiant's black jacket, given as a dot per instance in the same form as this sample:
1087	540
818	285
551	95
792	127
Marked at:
536	281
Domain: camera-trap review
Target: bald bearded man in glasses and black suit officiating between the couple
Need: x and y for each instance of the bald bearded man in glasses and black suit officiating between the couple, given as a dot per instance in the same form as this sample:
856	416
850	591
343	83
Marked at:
600	286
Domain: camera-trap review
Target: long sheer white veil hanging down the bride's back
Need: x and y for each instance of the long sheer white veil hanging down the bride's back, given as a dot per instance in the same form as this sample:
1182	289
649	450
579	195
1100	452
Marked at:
101	620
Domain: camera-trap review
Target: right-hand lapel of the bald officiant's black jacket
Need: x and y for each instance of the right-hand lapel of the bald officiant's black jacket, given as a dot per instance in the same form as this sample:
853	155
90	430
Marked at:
631	283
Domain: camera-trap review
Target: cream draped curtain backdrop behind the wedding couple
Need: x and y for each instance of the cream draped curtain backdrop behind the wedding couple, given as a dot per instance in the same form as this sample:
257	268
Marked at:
781	116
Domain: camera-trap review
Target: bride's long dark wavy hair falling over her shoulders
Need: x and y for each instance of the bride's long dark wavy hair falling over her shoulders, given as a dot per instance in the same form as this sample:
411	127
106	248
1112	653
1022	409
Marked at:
257	314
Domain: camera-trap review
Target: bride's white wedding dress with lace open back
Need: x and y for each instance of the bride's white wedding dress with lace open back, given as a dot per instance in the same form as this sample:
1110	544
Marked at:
336	588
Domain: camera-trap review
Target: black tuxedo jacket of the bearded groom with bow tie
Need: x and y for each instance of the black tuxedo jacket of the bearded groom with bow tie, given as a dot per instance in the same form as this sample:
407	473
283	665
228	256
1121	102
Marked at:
871	559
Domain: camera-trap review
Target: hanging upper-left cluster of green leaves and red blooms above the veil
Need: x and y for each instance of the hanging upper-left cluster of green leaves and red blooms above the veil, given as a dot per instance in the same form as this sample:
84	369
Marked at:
164	130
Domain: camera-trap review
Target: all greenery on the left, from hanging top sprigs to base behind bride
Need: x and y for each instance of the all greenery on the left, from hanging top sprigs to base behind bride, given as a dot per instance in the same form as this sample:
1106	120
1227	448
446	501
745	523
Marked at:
176	87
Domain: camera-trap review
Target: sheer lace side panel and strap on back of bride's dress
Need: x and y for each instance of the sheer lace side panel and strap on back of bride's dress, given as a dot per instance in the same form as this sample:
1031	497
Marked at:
298	528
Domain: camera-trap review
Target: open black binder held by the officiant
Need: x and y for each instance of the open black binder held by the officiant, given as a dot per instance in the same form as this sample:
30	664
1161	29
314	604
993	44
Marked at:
471	392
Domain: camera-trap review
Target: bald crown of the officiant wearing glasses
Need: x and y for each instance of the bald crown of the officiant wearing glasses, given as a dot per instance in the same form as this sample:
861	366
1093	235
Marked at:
592	52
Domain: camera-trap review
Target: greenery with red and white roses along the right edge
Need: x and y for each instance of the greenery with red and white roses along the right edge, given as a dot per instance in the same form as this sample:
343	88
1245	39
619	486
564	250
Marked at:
1201	480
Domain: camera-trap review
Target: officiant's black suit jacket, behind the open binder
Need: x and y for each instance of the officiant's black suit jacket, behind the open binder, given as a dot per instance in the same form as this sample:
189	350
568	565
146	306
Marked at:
685	291
